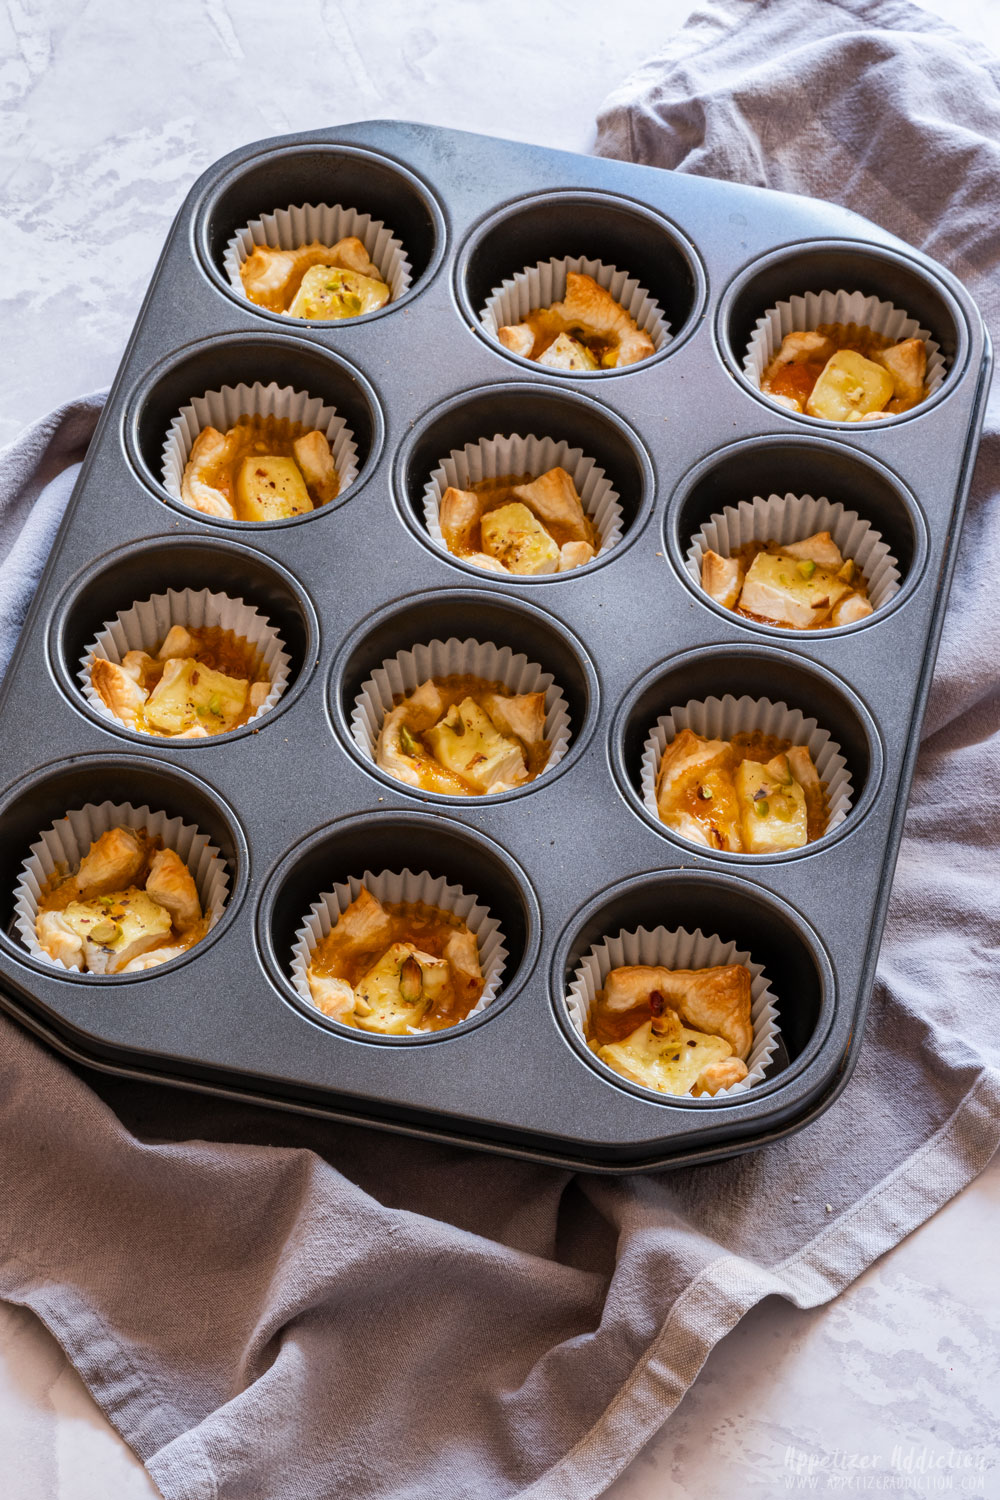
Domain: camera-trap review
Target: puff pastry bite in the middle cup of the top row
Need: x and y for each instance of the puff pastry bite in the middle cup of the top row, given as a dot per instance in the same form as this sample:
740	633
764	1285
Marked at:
588	331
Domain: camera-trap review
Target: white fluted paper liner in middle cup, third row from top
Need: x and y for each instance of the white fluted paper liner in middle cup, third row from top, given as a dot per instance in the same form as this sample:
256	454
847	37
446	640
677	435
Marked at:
404	674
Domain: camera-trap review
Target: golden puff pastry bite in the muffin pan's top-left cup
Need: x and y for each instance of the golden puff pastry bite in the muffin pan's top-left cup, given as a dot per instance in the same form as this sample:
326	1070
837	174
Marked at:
316	281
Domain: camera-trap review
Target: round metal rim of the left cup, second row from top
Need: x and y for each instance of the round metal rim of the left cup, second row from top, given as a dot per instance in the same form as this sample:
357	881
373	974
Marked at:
143	391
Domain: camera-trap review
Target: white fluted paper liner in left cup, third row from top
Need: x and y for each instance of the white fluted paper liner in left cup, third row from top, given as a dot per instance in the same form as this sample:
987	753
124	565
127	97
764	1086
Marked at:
145	628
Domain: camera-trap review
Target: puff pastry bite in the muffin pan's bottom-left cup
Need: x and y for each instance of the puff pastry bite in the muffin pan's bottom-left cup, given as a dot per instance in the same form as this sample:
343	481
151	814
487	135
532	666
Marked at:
130	907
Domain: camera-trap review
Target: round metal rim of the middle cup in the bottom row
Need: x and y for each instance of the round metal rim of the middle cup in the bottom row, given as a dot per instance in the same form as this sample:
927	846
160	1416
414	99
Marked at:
430	823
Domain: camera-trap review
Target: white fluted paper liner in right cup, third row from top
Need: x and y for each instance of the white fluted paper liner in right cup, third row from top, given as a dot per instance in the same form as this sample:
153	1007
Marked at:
723	718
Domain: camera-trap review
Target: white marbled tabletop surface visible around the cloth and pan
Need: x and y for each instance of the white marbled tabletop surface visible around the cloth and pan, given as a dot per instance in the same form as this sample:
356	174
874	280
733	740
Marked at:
107	115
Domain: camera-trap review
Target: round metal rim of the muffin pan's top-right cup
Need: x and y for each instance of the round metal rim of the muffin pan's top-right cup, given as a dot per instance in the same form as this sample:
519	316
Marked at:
722	328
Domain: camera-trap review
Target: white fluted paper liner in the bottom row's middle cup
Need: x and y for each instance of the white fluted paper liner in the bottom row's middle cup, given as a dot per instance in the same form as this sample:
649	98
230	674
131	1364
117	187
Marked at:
404	887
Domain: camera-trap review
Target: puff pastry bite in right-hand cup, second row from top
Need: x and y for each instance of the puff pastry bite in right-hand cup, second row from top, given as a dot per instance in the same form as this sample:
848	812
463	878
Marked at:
803	586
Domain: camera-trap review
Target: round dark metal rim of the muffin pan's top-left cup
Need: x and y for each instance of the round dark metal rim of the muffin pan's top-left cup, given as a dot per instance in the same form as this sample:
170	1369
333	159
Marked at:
209	200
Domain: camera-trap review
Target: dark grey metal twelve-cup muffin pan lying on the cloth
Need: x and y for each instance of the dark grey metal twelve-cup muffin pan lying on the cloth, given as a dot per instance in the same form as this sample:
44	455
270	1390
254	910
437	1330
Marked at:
573	857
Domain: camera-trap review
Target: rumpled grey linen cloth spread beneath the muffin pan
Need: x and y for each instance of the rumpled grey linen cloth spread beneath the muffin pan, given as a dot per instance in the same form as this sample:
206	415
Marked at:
268	1307
